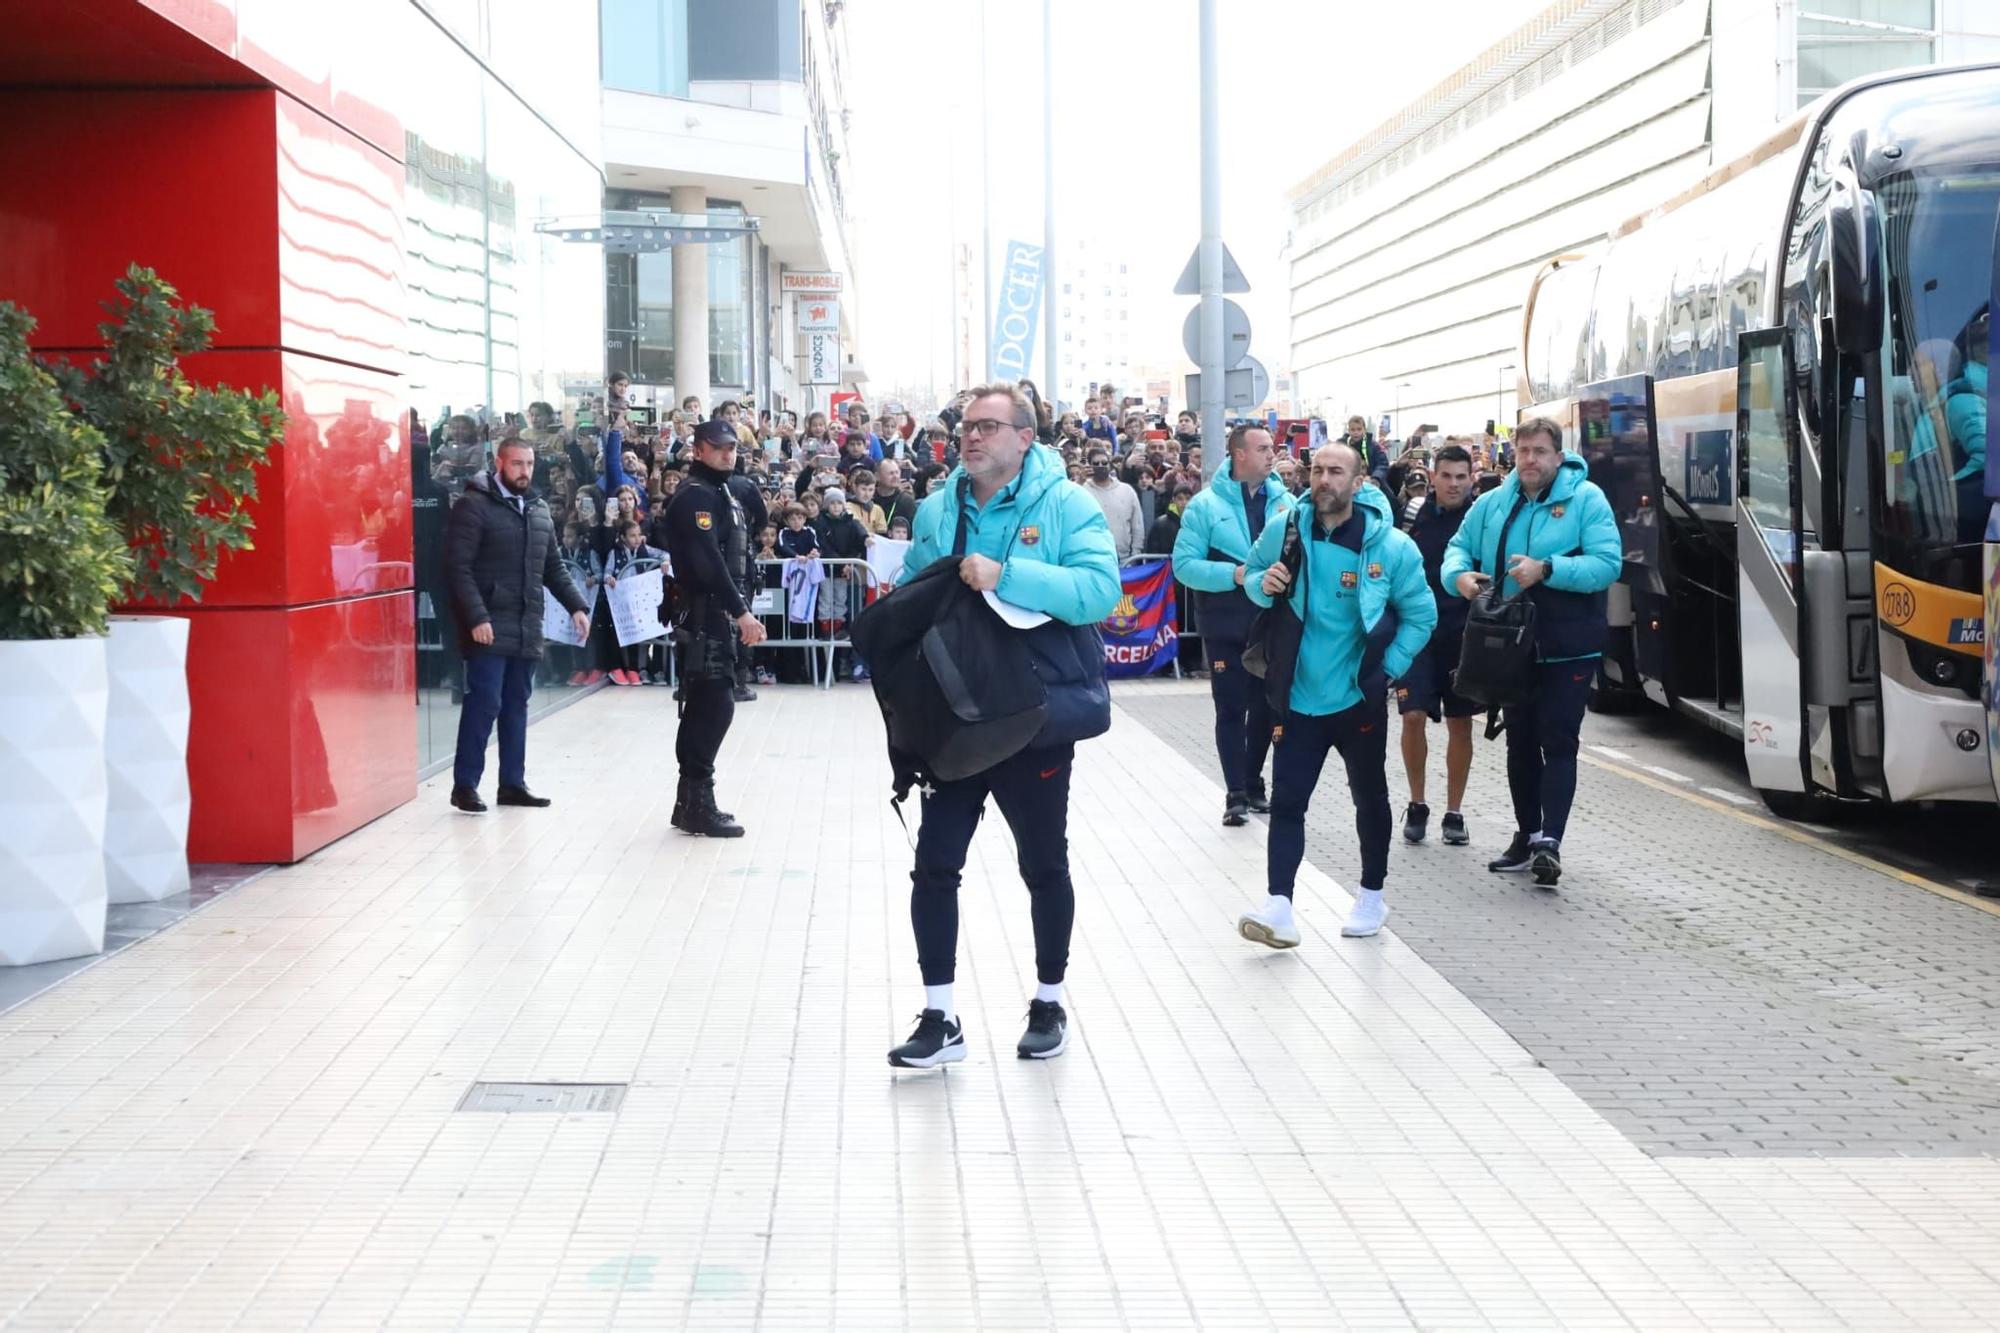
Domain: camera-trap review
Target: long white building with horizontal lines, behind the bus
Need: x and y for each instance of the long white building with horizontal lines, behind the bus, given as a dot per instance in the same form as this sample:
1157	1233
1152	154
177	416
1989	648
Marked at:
1415	245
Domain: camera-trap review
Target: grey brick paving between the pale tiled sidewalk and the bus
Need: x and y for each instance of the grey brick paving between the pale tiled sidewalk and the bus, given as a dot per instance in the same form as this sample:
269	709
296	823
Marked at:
1703	982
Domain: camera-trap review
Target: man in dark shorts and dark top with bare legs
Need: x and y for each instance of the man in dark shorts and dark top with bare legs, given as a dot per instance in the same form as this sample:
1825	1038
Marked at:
1427	692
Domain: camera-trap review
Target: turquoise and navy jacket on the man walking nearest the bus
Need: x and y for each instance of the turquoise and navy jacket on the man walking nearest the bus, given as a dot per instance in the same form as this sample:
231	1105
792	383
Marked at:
1573	527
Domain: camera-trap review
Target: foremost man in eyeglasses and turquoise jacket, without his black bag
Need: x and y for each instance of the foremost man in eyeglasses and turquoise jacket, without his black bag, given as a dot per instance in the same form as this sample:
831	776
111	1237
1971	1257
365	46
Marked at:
1039	543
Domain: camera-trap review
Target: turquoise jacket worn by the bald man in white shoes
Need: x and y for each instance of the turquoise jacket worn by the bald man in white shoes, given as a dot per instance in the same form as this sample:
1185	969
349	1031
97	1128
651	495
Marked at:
1335	668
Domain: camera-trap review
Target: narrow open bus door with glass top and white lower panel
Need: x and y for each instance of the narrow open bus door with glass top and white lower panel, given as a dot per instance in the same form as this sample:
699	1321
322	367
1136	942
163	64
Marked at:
1769	563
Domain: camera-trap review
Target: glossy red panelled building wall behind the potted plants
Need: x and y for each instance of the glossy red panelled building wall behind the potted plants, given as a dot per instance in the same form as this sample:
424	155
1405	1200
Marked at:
289	229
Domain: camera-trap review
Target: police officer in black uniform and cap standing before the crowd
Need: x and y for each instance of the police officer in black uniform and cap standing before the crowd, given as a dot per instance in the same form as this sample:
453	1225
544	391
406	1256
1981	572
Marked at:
709	541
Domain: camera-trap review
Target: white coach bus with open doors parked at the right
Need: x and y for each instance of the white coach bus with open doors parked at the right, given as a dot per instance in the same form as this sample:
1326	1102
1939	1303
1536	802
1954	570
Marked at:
1781	381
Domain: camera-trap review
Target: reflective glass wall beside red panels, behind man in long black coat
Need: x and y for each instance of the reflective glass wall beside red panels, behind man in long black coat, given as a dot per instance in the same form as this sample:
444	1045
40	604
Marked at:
505	323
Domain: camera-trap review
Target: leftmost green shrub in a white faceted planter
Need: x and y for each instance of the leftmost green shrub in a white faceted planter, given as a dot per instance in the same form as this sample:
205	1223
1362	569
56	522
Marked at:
61	565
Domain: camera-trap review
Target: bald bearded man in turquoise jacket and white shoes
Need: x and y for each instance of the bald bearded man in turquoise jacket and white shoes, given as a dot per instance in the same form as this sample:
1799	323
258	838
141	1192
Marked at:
1363	613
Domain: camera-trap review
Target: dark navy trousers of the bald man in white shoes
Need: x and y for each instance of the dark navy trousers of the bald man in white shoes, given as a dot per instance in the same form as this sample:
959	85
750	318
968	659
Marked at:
1361	736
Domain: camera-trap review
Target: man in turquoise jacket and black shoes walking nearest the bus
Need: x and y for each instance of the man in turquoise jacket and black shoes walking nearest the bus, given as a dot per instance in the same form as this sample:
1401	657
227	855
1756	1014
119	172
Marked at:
1557	541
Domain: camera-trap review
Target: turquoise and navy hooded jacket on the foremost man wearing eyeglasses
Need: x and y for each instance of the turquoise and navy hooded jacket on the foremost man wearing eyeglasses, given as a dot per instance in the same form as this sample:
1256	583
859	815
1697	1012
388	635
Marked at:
1055	557
